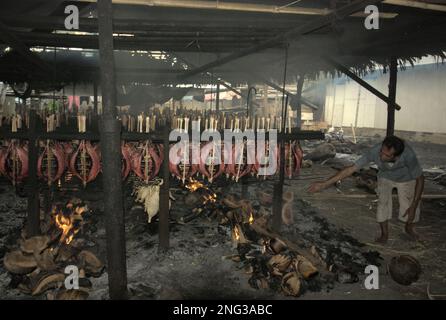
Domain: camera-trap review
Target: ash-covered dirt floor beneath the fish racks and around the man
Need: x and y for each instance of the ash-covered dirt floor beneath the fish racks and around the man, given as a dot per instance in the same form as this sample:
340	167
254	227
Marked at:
195	267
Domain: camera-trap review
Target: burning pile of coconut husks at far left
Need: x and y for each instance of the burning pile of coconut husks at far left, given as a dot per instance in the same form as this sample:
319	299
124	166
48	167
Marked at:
38	264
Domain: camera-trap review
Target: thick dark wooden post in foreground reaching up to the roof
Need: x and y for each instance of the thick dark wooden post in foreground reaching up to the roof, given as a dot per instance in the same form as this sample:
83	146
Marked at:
110	133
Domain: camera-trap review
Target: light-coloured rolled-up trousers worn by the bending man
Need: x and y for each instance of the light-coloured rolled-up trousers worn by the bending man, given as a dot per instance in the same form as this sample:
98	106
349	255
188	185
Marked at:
406	193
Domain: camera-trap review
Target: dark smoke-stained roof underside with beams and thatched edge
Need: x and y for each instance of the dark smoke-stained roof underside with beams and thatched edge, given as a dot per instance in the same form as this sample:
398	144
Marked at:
204	41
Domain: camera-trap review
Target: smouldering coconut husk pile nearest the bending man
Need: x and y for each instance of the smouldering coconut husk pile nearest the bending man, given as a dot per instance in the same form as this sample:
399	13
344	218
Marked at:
272	261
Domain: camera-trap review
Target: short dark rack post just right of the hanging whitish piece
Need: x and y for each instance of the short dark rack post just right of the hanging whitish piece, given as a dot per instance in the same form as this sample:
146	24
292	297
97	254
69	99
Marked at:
163	227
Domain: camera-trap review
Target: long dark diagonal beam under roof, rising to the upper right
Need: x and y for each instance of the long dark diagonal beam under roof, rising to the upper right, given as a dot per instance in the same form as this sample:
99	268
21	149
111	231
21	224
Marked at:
294	34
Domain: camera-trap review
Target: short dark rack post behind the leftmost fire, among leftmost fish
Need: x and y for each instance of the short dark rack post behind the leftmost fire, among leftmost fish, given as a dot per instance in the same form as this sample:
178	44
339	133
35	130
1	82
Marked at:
33	222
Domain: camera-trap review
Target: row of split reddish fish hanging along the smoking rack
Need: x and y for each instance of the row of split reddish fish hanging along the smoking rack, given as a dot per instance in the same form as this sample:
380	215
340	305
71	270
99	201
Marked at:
144	159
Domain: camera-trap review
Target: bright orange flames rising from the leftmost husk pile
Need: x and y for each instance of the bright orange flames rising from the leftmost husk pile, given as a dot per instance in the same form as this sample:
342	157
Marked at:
69	223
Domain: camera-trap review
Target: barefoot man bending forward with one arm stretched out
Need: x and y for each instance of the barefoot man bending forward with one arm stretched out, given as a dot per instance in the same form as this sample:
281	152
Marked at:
398	168
